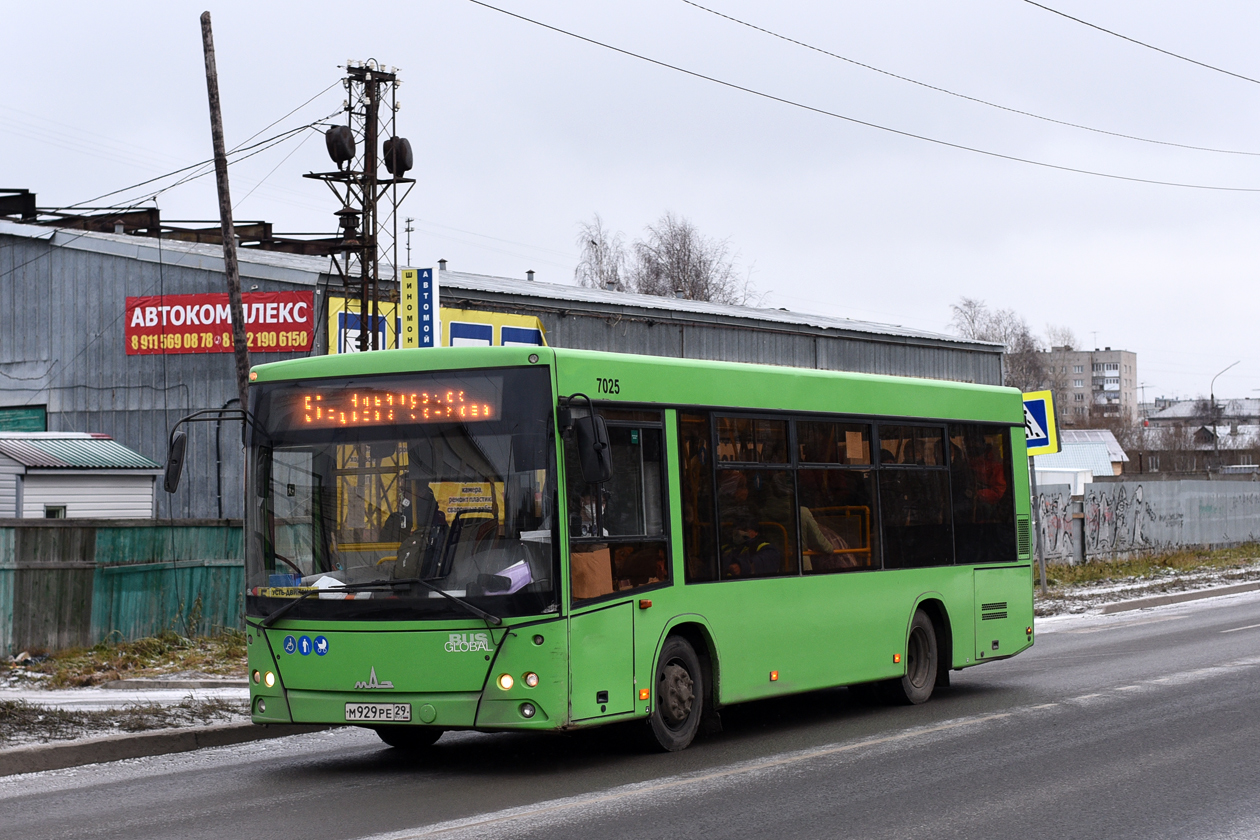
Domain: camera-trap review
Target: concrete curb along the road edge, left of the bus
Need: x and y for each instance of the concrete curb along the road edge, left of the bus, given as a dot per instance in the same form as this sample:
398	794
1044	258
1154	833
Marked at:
93	751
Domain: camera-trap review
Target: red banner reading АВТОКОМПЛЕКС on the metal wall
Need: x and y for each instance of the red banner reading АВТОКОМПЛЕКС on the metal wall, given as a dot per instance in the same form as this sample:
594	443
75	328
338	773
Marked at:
275	323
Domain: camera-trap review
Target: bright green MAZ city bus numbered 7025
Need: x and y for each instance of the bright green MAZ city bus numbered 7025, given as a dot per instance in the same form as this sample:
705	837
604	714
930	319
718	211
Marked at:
549	540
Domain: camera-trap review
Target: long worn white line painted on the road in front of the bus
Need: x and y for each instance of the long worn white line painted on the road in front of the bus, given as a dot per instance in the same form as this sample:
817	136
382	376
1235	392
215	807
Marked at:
498	819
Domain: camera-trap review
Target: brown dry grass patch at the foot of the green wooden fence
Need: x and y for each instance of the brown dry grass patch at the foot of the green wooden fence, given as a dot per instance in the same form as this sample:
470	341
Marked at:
169	653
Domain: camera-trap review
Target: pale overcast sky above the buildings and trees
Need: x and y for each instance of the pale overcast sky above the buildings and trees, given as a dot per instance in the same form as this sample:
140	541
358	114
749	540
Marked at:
522	133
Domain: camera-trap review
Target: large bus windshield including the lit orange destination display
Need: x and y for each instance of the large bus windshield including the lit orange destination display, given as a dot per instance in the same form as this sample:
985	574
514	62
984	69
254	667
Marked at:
371	497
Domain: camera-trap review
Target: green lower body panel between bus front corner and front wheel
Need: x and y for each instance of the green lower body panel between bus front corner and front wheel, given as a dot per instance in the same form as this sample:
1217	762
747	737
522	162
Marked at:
602	662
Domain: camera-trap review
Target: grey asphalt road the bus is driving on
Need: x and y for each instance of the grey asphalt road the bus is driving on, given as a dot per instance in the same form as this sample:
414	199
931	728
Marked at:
1141	725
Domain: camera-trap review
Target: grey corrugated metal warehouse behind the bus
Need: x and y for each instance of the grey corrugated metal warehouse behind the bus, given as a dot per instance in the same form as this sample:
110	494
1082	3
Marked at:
64	298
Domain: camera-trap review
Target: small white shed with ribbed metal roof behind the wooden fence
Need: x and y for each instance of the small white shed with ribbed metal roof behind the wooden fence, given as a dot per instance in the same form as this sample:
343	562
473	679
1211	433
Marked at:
75	475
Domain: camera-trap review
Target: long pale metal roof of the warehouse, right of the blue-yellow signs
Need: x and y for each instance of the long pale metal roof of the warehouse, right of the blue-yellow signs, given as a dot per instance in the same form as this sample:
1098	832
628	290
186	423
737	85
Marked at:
680	309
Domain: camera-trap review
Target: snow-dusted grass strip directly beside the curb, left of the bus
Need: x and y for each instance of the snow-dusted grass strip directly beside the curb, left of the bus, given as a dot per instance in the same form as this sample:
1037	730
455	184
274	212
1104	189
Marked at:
28	724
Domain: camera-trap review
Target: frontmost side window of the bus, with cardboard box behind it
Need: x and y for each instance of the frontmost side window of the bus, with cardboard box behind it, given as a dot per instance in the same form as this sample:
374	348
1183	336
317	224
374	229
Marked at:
618	530
